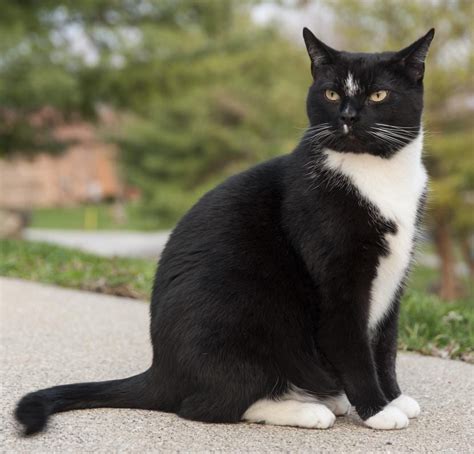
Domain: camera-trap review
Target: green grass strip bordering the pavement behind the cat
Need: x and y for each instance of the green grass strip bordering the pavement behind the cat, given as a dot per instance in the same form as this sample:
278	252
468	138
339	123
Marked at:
427	324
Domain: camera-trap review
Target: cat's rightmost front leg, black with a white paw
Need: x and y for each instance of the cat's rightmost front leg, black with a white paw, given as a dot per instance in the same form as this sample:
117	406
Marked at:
385	352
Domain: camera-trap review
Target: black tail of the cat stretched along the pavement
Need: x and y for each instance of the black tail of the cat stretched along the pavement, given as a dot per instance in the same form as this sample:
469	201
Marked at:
34	409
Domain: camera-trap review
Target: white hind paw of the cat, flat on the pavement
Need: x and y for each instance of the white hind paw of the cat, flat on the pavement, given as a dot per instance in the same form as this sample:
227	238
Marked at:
290	413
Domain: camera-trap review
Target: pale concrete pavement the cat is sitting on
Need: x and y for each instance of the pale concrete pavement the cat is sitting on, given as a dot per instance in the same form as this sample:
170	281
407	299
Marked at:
53	336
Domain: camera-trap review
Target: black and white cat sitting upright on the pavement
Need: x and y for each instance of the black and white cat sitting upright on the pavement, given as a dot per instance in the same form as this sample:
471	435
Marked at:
277	296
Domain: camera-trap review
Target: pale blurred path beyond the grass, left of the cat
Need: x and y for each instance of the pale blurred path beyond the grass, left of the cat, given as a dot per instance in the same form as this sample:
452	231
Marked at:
107	243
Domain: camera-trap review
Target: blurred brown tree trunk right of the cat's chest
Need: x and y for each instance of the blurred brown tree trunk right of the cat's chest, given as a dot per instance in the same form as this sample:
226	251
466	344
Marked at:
444	244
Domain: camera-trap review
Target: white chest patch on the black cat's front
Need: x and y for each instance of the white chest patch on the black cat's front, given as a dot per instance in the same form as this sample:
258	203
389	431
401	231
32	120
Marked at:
394	186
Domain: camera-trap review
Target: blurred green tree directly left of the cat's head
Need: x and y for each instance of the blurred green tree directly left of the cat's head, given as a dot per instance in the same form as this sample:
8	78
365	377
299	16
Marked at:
220	99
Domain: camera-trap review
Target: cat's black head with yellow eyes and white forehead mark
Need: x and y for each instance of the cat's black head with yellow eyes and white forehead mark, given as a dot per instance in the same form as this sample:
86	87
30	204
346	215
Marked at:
366	103
